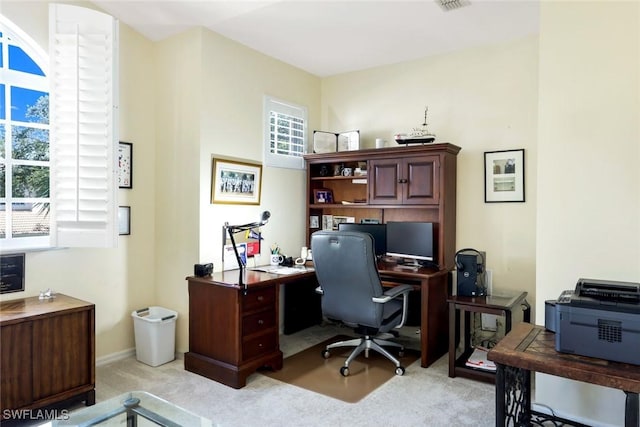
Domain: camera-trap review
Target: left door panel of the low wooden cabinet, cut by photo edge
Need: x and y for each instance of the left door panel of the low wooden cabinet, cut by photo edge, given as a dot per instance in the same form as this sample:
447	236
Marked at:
15	366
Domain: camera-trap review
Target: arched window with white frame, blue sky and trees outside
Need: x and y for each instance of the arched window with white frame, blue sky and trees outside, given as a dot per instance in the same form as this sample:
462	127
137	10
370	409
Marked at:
24	141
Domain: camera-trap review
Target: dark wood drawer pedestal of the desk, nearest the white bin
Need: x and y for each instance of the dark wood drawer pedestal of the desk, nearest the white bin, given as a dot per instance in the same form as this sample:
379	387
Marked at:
233	330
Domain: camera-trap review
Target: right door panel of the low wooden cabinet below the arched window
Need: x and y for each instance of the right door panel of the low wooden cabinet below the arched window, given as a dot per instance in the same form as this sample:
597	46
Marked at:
62	356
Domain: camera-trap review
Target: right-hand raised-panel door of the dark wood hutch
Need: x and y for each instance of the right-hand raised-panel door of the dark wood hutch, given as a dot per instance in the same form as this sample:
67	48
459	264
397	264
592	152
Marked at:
421	176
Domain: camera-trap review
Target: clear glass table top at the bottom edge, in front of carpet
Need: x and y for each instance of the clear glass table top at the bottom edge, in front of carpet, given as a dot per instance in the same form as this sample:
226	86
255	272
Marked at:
134	408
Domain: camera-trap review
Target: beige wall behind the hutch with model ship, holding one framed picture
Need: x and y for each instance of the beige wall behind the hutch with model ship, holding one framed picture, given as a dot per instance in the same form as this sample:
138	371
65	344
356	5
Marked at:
481	99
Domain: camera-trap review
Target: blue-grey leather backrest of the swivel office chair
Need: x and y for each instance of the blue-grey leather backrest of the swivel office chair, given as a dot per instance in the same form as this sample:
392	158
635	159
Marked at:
347	272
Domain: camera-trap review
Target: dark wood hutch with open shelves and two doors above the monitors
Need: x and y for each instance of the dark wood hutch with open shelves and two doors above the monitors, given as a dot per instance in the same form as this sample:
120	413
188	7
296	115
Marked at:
404	183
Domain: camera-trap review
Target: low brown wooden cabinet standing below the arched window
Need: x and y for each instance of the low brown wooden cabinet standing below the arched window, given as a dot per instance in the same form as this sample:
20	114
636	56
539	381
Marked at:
47	352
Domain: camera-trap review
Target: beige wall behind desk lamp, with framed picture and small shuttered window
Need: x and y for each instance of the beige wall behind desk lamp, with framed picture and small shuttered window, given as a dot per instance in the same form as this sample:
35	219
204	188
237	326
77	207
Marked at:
210	97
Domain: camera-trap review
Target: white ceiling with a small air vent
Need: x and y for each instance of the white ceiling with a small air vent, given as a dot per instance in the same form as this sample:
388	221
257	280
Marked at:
326	37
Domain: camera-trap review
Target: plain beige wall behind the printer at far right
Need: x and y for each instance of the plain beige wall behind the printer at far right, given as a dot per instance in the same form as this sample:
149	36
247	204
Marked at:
588	176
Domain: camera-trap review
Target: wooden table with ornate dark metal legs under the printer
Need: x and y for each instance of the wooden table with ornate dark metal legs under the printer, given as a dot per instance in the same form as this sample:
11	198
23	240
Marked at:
529	348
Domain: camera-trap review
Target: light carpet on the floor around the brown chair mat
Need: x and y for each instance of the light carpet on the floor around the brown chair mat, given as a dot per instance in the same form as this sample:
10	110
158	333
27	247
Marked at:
422	397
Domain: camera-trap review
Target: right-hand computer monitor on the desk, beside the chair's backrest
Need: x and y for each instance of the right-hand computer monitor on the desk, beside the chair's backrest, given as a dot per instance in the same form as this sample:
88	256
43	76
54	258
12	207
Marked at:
411	241
